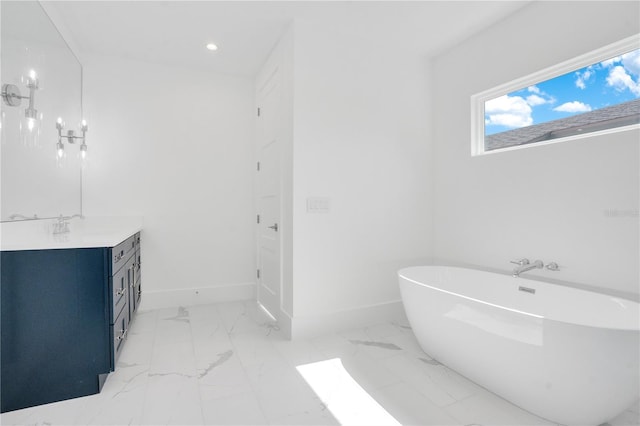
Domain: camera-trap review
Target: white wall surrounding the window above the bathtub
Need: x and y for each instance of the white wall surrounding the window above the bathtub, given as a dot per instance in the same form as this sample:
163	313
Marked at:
548	202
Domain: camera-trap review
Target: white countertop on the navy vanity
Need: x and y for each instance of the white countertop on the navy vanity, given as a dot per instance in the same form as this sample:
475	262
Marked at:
85	232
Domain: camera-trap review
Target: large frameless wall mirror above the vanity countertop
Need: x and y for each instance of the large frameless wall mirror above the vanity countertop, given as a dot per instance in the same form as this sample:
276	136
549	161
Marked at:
41	74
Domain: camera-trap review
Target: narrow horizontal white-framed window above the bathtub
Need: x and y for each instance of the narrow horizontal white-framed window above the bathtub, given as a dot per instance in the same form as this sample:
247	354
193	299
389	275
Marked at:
596	93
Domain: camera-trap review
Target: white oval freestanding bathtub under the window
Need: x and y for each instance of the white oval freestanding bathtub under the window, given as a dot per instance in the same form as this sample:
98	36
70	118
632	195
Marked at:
568	355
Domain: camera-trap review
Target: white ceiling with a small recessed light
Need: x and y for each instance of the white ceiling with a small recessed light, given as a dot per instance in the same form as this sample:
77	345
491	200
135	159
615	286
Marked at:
175	32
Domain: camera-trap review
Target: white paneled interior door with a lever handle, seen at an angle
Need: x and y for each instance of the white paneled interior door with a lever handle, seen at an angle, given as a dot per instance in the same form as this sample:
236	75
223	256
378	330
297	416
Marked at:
268	194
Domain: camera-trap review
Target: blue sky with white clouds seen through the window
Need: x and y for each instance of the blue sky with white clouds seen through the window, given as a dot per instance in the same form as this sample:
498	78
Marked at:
606	83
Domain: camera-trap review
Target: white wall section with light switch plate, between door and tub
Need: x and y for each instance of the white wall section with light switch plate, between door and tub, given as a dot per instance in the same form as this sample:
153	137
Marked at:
360	139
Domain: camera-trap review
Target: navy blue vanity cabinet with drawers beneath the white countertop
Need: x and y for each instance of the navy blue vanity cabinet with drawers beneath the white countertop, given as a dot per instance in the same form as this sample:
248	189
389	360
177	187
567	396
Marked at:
64	320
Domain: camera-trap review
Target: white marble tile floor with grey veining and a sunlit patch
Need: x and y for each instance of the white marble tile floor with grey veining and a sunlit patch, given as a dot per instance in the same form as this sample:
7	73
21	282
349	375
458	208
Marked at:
227	364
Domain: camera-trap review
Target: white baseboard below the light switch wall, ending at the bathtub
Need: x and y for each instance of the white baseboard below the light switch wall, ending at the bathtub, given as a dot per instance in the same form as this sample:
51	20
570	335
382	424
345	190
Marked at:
305	326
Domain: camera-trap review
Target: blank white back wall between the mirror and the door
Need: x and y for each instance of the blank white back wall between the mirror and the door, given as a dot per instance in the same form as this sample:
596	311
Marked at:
176	147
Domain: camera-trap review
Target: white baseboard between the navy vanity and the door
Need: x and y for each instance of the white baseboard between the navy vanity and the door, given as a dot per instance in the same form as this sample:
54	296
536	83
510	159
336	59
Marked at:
196	296
